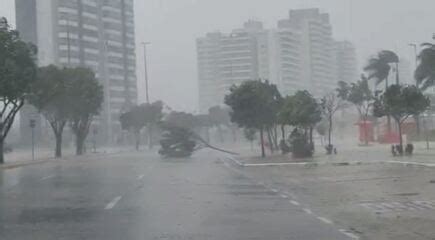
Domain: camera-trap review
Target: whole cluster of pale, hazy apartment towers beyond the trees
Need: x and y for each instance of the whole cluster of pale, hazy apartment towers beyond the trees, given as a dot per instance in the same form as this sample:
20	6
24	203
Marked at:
299	54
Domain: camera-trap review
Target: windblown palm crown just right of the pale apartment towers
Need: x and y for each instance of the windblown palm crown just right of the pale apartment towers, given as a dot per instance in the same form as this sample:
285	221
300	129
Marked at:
379	66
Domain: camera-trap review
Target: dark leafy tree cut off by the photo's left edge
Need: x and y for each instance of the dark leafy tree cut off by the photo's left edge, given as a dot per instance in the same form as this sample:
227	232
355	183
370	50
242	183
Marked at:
17	73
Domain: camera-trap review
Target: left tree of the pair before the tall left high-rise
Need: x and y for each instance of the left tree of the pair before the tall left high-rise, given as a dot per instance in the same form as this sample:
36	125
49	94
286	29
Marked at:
50	95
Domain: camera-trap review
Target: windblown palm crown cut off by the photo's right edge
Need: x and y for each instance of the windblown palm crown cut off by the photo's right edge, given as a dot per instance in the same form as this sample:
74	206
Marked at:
425	72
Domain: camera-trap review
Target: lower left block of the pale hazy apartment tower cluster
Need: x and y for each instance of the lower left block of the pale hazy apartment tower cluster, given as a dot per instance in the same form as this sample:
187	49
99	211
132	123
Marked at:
227	59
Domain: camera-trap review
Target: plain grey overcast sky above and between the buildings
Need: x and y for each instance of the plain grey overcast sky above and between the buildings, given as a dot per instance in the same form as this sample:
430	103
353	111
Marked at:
173	25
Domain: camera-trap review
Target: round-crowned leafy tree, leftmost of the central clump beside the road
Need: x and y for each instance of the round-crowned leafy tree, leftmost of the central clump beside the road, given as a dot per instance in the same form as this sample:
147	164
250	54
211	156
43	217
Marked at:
254	105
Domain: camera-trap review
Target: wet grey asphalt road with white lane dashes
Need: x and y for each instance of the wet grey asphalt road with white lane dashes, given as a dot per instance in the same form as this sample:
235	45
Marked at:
141	196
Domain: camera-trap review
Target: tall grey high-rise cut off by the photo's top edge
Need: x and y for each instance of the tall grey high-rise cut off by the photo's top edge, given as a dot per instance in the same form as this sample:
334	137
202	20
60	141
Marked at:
98	34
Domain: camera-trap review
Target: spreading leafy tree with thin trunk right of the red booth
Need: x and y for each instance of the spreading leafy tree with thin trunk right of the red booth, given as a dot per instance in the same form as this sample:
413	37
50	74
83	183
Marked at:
401	102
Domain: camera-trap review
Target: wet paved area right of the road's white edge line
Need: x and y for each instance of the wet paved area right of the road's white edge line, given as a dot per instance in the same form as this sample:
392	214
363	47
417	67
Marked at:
373	201
